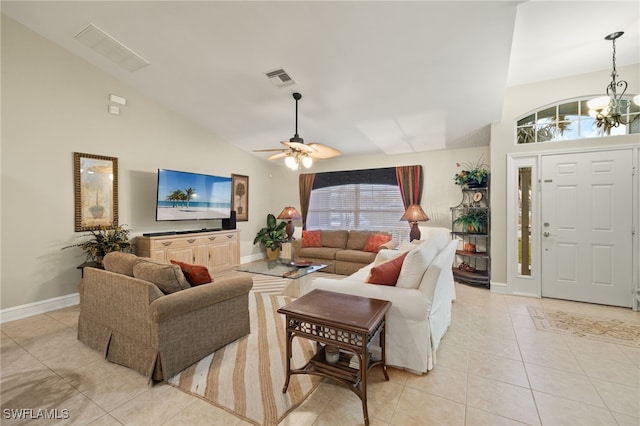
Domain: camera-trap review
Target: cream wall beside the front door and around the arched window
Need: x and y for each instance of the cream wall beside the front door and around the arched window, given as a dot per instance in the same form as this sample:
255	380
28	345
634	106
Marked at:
521	100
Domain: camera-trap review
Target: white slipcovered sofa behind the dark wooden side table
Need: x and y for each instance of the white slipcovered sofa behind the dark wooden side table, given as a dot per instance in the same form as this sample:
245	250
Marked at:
419	317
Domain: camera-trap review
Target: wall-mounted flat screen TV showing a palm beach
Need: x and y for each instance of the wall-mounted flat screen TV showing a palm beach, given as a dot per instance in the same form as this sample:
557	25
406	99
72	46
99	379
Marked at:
192	196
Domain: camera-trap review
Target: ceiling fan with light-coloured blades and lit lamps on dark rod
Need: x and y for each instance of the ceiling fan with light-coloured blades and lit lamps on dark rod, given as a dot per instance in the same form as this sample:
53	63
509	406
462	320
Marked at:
297	153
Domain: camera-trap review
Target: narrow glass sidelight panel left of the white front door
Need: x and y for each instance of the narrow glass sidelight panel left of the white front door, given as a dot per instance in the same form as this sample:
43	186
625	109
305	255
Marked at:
524	220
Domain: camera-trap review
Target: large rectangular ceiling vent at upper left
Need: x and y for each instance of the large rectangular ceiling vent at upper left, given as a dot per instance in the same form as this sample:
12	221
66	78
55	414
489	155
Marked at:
101	42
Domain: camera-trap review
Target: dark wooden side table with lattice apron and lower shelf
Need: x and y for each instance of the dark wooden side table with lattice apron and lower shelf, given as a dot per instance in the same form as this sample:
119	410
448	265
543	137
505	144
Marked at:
348	322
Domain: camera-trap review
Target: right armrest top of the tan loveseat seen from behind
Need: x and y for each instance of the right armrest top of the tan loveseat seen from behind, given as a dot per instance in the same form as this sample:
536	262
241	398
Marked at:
195	298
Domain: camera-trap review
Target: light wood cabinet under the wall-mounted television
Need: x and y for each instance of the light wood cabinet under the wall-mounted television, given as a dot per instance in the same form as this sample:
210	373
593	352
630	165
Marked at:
217	250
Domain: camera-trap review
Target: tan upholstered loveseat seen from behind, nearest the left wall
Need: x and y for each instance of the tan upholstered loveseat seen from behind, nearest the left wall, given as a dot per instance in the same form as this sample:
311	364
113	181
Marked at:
133	323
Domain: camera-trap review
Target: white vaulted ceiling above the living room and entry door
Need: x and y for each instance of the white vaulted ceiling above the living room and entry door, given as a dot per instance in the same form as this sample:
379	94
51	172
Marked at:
376	77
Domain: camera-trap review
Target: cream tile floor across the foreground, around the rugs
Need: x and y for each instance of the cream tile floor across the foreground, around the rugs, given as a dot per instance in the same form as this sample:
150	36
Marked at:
493	368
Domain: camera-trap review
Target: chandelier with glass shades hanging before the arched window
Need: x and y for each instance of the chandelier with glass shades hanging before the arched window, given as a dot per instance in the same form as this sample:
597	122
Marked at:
609	111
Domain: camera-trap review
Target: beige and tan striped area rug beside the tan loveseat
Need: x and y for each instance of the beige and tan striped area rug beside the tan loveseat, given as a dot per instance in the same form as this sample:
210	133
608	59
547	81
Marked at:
246	377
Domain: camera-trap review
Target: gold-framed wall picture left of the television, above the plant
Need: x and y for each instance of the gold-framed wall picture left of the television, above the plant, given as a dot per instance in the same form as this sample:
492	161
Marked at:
95	182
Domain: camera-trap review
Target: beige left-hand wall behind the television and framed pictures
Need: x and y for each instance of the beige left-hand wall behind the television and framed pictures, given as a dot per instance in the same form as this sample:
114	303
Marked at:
54	104
